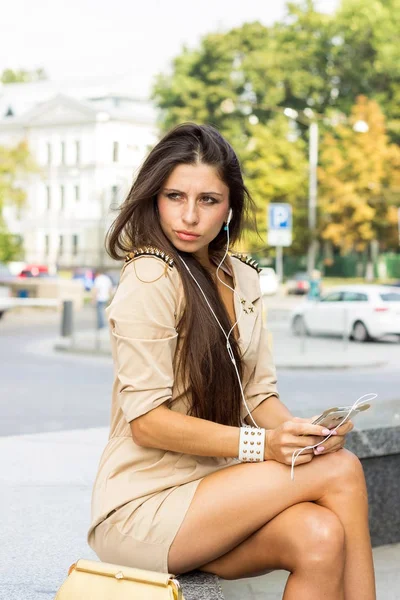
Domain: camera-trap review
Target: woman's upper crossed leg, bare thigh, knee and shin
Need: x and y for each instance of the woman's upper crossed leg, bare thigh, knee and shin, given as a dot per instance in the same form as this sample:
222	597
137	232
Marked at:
232	504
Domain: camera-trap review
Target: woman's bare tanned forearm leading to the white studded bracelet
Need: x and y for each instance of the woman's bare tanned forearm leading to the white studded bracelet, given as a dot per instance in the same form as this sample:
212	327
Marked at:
169	430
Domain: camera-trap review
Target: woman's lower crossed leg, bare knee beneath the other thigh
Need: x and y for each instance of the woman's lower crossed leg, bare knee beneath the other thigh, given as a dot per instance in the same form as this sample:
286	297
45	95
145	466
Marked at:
306	539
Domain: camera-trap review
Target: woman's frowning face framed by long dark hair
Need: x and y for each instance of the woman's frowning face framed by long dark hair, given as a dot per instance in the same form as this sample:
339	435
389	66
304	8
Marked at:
193	199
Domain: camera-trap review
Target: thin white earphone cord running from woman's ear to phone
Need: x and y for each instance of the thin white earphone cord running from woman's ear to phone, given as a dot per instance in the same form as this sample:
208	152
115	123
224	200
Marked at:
296	453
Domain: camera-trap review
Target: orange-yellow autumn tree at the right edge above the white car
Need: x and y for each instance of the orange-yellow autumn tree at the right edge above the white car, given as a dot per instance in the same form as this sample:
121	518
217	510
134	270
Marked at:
359	181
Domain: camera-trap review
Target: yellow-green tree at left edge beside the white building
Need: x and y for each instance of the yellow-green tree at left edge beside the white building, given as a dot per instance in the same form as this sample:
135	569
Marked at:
15	163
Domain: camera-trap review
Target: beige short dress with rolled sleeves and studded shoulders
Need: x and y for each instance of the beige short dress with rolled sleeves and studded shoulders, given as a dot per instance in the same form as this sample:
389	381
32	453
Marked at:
141	495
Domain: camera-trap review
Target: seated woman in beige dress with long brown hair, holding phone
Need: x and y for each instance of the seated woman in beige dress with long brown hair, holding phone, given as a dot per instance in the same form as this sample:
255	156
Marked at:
170	493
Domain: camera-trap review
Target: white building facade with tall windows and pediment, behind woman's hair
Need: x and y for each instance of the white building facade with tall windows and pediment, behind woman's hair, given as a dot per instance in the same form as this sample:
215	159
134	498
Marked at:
87	152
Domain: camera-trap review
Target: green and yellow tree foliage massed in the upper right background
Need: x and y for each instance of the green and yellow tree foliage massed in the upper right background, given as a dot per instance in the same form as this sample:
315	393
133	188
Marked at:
239	81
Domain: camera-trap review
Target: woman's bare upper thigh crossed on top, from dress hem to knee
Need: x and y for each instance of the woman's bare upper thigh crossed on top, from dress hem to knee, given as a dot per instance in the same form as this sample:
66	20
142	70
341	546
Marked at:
231	504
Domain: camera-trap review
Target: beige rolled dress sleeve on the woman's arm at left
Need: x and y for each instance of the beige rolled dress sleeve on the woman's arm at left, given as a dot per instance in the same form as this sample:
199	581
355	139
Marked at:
142	320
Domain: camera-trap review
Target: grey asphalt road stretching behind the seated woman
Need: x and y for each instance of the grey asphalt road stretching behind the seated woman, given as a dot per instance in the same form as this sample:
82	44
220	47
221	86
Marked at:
42	390
